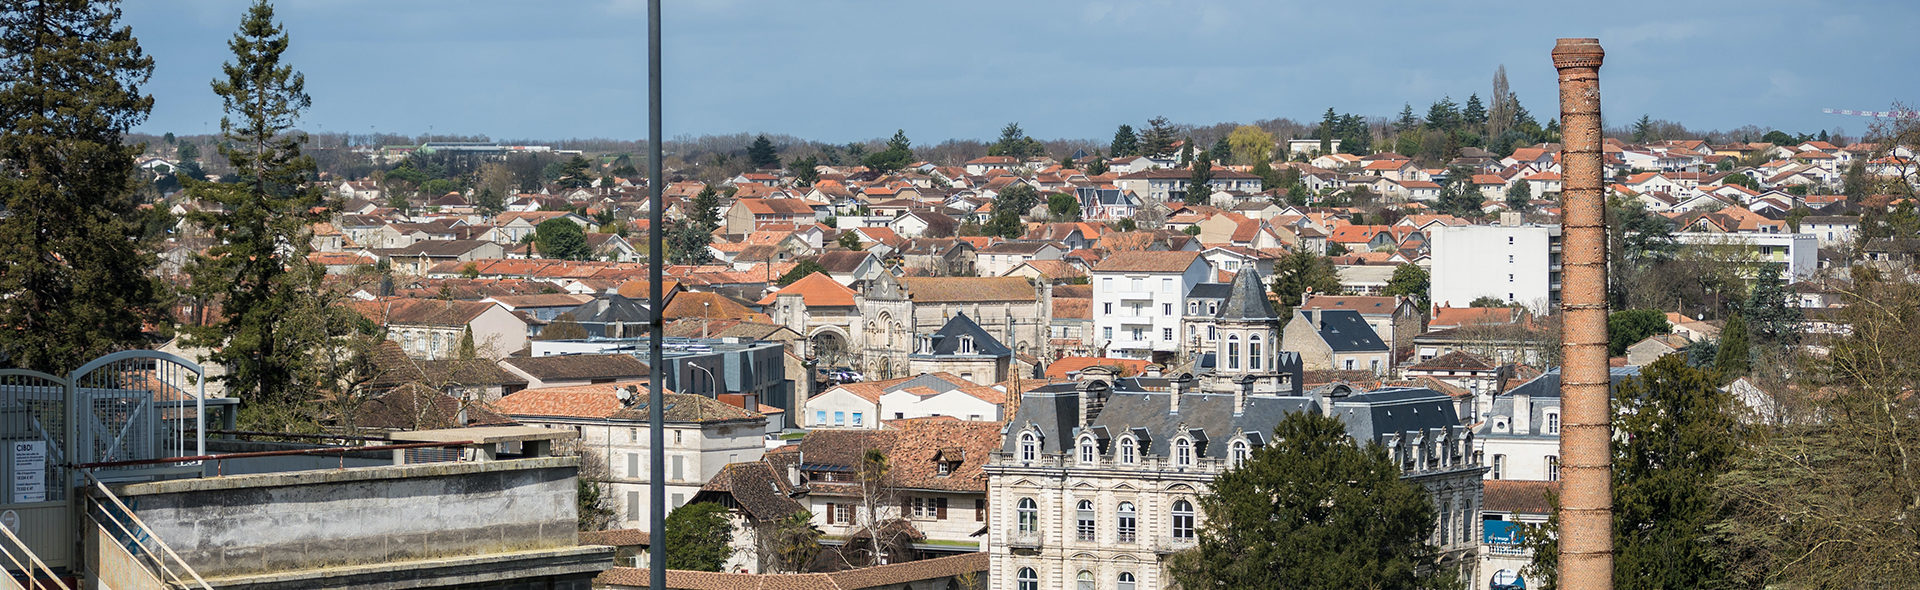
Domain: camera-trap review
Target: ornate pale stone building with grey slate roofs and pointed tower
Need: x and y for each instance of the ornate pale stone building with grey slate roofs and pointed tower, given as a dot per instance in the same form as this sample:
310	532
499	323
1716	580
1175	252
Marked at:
1099	481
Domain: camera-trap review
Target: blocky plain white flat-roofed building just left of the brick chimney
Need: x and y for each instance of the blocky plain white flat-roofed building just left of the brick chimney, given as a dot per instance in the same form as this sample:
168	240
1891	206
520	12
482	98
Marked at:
1518	264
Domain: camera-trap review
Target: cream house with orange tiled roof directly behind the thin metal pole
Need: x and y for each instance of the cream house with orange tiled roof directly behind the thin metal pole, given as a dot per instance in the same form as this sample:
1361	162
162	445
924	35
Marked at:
702	439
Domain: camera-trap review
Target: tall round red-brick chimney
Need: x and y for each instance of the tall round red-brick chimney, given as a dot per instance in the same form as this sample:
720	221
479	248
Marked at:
1587	491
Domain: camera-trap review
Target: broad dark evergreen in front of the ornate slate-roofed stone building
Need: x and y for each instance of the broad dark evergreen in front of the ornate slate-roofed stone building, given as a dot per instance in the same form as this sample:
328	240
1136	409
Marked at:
1314	510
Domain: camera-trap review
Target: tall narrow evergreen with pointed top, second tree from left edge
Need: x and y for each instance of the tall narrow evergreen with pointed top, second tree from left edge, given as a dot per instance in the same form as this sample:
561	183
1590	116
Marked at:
258	268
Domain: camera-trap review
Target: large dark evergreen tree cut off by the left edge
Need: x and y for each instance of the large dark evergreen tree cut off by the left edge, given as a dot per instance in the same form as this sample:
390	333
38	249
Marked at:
72	270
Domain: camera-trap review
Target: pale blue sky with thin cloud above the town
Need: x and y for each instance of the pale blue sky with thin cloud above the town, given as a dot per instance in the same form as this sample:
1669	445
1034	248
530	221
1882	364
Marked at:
838	72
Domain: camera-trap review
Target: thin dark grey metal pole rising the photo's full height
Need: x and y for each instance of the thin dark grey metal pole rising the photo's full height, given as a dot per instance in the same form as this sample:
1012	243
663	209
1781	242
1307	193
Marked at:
656	251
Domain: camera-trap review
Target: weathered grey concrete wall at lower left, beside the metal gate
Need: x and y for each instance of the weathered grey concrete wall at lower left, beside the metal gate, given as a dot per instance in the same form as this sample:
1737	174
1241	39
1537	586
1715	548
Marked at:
289	522
